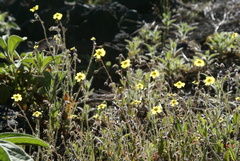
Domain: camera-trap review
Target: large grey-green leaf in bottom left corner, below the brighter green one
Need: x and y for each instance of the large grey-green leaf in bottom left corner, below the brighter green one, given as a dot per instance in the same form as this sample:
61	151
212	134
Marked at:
12	152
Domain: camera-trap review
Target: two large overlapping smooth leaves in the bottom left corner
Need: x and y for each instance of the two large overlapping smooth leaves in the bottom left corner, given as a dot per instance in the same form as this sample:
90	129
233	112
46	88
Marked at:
9	151
